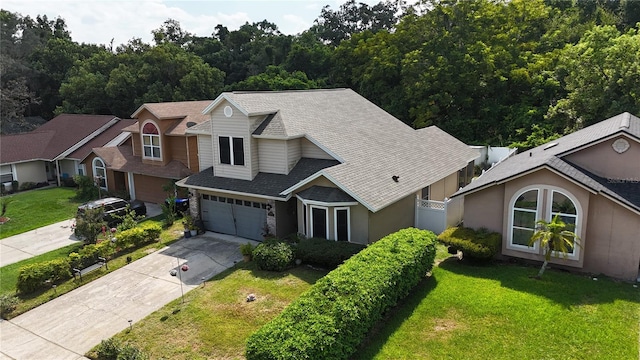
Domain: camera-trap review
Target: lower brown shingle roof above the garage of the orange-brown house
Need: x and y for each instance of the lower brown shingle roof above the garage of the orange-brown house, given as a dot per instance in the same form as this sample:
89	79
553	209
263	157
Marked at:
120	158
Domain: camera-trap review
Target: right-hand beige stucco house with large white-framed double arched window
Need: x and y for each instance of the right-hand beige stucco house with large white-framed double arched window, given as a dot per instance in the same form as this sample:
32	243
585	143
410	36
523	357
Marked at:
591	178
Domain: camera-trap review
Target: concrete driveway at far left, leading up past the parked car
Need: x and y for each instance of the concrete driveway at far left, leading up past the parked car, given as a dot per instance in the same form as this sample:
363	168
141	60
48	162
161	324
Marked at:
47	238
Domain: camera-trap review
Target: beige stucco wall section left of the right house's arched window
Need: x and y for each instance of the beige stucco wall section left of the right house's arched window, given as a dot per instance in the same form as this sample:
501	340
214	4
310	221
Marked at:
485	209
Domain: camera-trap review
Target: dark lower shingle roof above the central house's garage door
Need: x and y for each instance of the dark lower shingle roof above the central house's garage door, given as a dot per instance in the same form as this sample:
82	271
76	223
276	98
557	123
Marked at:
264	184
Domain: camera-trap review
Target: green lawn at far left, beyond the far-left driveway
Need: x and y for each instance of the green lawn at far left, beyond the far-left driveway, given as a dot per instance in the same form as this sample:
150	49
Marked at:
33	209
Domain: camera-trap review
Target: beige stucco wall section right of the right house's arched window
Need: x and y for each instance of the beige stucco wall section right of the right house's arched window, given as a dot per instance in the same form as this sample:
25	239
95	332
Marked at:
614	240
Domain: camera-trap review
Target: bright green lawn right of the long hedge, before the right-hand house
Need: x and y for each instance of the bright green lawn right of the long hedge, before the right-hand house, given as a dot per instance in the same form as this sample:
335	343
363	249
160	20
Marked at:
500	312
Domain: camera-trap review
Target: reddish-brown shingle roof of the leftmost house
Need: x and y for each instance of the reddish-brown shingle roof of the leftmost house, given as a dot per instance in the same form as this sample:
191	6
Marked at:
56	138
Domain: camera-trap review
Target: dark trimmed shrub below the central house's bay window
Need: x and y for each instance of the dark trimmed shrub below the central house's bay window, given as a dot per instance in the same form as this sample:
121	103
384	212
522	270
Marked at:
326	253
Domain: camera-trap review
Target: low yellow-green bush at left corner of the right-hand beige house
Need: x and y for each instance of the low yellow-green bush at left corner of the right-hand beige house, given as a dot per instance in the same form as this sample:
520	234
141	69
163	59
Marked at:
481	244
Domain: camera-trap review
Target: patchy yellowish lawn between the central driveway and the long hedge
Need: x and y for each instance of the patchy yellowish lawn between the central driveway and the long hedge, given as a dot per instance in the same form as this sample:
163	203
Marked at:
215	320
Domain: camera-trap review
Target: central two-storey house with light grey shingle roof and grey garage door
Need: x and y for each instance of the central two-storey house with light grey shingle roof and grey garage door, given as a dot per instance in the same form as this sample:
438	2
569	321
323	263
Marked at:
323	163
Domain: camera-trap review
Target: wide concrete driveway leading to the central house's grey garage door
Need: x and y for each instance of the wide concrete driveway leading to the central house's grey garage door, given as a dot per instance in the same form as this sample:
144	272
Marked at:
70	325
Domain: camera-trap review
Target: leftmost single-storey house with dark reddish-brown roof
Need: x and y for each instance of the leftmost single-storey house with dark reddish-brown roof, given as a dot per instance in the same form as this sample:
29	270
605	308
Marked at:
57	149
